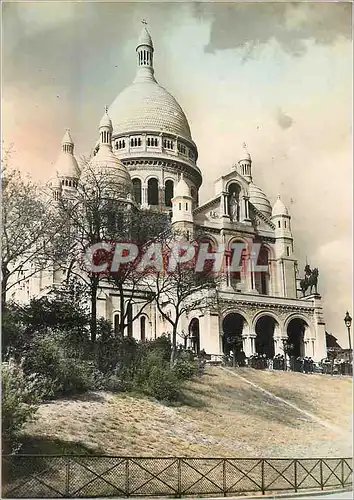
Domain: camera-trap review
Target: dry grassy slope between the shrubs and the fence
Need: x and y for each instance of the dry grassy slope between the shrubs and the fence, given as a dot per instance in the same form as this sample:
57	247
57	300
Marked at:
222	416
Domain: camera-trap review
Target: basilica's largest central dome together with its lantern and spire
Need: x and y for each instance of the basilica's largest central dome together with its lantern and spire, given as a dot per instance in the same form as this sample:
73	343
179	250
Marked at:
145	106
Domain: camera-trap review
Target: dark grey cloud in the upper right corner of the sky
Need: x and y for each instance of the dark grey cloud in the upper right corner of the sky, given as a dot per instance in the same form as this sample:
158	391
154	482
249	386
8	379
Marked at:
248	26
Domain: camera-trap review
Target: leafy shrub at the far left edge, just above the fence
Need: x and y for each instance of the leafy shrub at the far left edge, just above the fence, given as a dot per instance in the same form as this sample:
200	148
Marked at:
21	395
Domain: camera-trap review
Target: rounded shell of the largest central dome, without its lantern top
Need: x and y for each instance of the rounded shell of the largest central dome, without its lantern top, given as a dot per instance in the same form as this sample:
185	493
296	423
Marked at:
146	106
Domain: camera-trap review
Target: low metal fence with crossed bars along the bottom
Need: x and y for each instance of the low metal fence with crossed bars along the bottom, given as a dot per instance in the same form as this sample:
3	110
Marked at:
77	476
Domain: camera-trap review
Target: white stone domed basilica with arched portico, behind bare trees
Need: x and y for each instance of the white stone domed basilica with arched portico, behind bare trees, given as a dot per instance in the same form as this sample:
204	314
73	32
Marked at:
145	141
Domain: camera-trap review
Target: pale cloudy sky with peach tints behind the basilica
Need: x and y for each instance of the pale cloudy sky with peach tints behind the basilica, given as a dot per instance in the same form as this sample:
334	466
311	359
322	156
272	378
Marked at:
277	76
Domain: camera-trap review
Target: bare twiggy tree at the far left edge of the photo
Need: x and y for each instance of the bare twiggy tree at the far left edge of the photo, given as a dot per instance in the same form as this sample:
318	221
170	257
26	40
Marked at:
30	229
